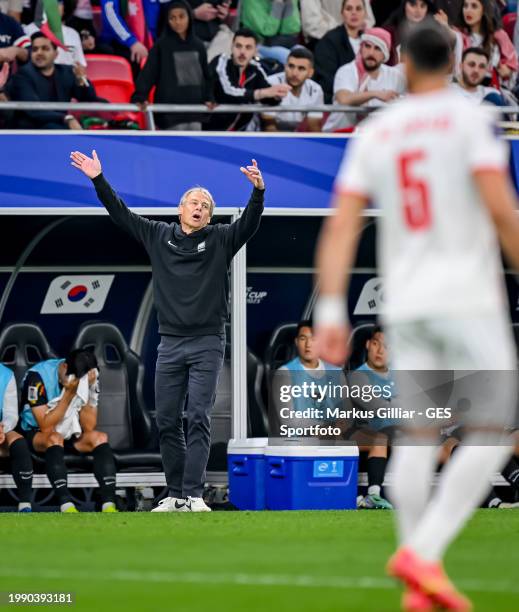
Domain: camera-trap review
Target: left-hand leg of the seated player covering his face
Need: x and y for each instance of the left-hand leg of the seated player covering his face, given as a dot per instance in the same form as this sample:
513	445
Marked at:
51	445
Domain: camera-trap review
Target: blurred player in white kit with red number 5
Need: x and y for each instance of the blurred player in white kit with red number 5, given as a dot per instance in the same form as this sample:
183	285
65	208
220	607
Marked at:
435	166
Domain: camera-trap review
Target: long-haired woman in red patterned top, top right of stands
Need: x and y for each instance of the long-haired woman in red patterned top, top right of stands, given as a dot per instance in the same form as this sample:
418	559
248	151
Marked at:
478	28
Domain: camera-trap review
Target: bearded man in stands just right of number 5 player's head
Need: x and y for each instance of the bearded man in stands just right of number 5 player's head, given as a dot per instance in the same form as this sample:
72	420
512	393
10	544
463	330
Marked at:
474	69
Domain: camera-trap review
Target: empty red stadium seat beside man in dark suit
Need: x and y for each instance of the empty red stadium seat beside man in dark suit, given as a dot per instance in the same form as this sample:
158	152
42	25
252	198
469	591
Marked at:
111	76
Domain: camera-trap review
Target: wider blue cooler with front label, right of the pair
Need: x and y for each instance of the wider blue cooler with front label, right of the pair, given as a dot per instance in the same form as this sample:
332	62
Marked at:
311	477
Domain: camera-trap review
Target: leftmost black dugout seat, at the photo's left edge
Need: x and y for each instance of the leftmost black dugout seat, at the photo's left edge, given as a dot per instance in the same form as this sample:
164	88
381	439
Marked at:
23	345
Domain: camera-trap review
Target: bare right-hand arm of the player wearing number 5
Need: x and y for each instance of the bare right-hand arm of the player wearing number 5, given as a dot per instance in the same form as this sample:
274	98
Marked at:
499	197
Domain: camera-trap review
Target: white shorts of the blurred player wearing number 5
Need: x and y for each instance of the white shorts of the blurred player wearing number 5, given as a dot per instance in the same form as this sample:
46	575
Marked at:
468	365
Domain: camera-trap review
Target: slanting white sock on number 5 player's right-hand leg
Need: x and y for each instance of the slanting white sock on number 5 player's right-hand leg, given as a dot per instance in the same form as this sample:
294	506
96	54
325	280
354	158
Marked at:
463	484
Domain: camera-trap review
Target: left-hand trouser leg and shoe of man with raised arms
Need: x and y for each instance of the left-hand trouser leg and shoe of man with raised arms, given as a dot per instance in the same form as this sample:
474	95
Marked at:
170	396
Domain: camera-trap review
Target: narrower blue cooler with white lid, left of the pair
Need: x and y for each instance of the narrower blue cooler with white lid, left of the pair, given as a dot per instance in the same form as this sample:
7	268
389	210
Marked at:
246	465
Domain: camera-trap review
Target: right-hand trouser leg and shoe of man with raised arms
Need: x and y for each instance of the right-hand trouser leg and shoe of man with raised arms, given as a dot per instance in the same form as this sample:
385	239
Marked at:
205	363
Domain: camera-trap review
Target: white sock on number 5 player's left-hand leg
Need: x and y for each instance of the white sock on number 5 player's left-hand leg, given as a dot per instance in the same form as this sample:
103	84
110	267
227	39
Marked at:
412	468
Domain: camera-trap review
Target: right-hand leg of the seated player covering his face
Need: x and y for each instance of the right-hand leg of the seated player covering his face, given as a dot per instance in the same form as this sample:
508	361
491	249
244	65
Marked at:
96	443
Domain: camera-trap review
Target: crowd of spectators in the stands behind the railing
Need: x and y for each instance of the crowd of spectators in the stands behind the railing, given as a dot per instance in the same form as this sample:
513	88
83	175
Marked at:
272	52
